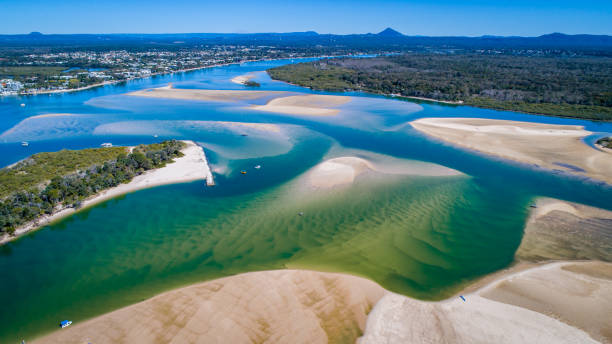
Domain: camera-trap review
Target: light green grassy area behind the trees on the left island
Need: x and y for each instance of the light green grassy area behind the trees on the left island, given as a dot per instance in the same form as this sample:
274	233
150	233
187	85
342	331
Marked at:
42	167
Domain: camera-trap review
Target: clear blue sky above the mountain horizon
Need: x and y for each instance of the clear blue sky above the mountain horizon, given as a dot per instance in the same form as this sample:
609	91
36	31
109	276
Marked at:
436	18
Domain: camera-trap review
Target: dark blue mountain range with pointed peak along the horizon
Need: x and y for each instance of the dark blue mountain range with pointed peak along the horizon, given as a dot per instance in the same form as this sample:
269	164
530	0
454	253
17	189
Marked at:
385	38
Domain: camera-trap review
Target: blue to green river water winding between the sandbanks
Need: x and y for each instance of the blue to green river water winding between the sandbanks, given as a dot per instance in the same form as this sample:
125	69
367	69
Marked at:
420	236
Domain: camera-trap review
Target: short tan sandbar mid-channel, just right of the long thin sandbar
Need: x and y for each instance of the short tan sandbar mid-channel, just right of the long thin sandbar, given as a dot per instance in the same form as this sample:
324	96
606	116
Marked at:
305	105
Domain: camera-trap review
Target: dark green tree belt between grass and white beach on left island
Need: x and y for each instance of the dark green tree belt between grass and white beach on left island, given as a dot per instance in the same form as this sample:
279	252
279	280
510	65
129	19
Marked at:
71	189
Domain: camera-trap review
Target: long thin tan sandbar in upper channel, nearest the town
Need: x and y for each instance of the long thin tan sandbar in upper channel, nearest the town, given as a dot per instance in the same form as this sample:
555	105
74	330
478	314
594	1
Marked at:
169	92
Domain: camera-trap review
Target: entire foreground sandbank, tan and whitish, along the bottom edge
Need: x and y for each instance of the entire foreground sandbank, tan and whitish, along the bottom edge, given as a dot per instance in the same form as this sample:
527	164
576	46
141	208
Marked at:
553	303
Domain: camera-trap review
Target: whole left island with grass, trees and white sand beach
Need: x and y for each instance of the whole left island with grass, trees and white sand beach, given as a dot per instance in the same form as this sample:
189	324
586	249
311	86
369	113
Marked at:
48	186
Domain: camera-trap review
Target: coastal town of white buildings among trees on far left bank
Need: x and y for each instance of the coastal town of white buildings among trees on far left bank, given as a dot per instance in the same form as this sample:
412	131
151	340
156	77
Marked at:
53	72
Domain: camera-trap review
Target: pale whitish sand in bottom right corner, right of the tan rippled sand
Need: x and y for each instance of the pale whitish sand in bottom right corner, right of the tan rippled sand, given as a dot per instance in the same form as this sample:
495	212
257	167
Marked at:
515	309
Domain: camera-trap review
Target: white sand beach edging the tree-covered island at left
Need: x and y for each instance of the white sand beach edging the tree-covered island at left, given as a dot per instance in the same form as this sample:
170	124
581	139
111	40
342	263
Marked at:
190	167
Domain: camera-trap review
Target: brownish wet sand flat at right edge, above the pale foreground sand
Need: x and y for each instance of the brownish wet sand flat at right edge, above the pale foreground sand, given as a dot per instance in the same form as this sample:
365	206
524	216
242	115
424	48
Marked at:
559	230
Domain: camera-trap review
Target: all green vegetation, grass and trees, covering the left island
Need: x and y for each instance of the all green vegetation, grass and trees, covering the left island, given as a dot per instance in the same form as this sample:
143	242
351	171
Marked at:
45	182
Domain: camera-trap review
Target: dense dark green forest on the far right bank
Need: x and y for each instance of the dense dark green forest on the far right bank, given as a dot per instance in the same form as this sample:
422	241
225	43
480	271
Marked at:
559	86
